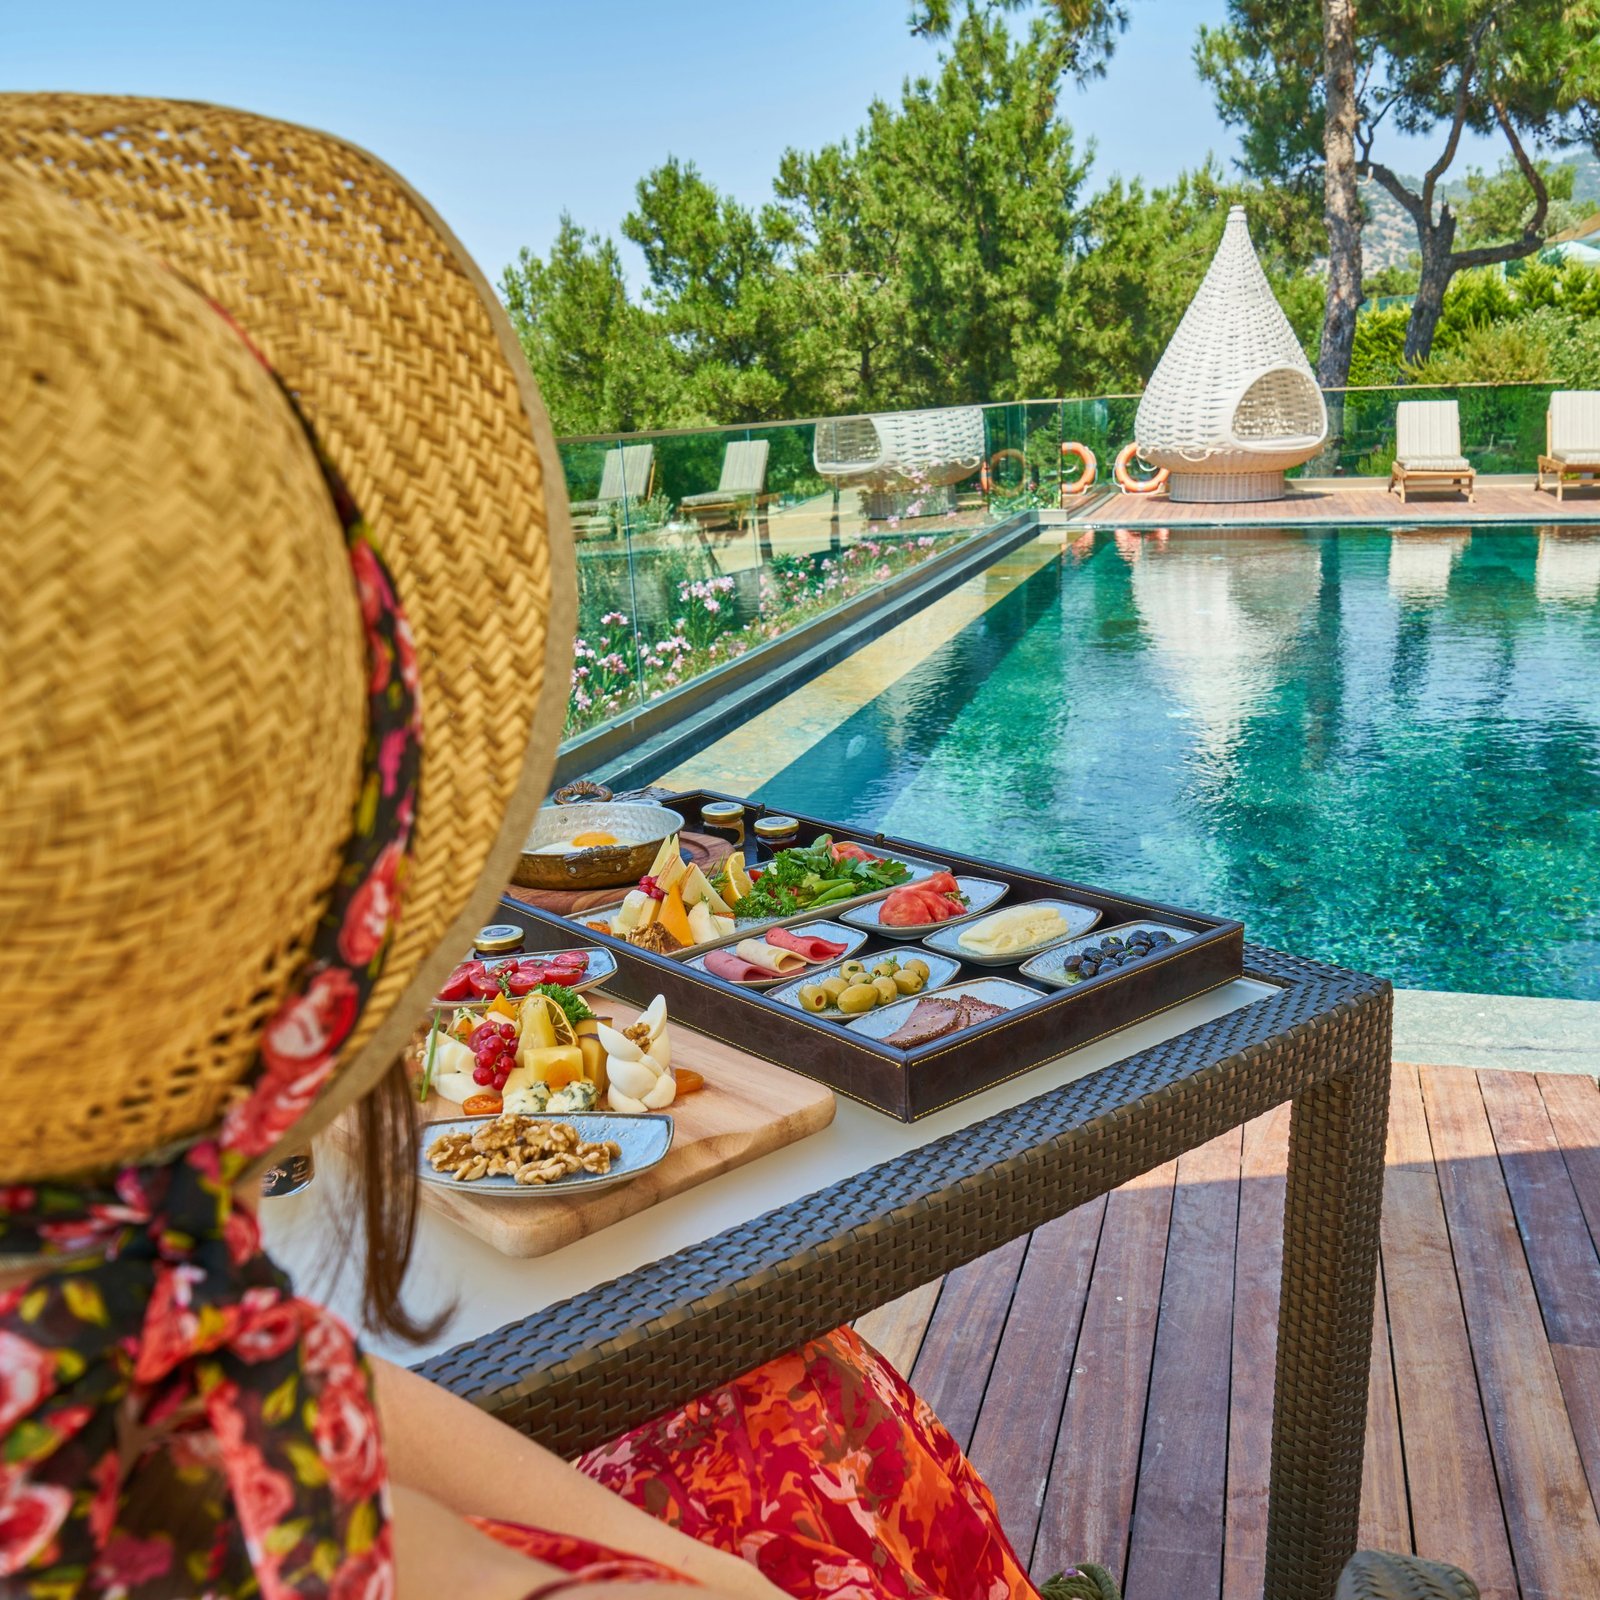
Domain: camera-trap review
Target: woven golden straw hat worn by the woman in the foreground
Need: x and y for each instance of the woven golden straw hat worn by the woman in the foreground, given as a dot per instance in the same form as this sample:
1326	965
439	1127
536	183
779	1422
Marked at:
180	634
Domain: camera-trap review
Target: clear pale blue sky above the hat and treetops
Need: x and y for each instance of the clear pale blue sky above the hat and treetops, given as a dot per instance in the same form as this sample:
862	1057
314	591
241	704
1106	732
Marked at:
506	116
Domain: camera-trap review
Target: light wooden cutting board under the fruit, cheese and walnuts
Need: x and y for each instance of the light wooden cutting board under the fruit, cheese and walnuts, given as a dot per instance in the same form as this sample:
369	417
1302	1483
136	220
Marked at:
746	1110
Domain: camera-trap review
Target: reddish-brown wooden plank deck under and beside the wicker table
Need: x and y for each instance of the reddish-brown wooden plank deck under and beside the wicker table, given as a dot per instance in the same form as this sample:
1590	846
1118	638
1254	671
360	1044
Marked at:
1113	1375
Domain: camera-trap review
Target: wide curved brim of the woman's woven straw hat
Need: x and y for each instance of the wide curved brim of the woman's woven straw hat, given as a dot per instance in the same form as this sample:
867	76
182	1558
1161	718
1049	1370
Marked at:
406	364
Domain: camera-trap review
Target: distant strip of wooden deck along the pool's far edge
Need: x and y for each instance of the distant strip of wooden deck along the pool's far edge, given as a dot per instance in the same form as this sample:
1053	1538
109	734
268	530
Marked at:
1361	503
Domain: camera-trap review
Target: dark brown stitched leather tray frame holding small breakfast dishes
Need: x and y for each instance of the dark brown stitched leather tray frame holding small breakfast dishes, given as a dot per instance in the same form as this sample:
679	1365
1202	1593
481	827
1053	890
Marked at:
911	1084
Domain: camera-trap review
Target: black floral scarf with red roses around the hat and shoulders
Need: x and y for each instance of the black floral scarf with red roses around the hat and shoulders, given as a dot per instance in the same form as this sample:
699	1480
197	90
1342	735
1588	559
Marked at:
178	1319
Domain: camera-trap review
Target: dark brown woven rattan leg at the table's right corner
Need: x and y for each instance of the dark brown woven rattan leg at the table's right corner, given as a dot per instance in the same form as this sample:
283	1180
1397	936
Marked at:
1326	1314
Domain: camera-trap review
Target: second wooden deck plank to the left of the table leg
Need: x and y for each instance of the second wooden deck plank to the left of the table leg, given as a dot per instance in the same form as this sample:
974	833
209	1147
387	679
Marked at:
1177	1543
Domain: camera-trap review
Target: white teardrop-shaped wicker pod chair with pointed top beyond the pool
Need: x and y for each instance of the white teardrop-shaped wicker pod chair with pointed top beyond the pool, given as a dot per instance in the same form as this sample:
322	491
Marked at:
1233	402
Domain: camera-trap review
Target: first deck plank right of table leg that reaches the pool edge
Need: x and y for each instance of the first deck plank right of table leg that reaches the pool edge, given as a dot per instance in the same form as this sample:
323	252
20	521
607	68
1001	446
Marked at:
1436	1385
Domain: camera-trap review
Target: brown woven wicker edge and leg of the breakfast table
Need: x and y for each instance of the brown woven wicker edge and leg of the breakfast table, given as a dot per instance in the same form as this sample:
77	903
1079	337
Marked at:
1319	1038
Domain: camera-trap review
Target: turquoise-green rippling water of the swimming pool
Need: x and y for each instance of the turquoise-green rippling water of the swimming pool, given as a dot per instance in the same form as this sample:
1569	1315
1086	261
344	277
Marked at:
1378	750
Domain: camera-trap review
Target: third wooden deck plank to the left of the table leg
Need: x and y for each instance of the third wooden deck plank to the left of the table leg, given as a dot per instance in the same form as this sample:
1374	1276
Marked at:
1089	1503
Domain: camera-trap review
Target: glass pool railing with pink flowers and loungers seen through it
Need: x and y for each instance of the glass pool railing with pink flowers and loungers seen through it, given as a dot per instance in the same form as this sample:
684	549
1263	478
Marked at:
697	546
